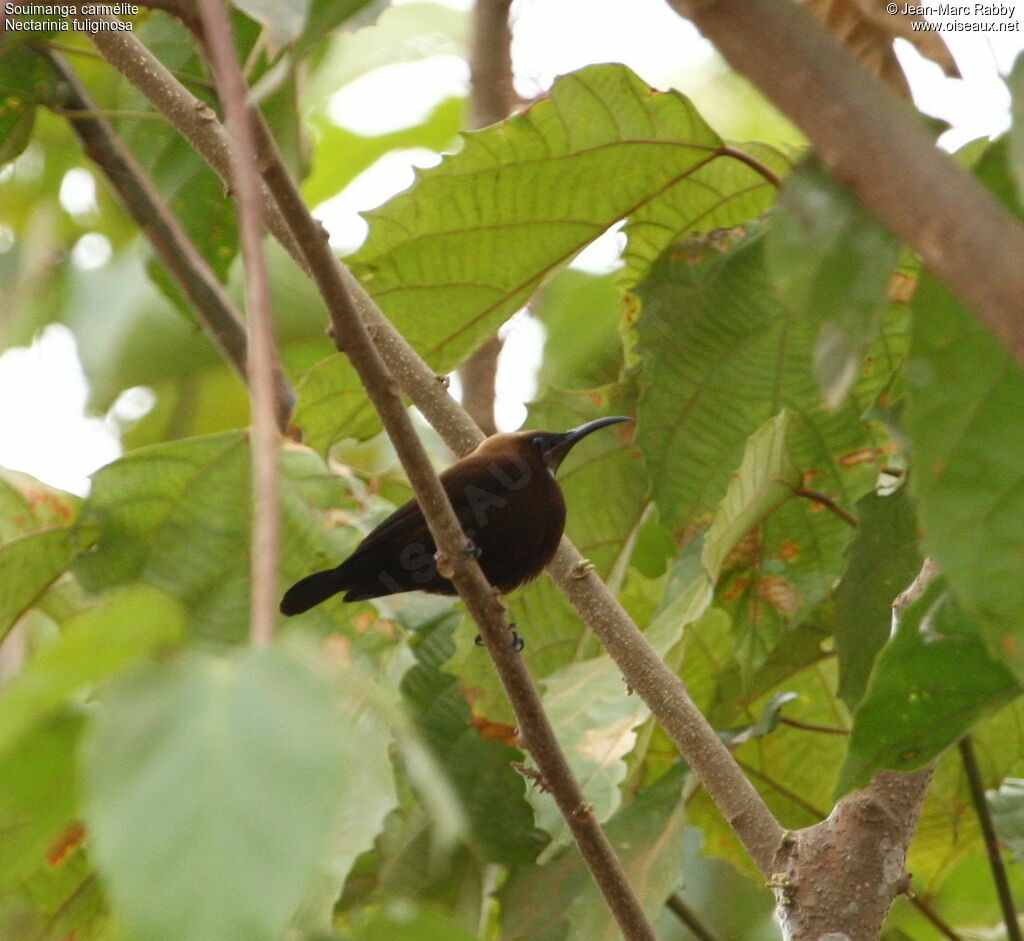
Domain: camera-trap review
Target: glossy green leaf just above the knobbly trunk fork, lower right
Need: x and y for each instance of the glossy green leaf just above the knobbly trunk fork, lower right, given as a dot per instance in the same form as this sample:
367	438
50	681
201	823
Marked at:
931	683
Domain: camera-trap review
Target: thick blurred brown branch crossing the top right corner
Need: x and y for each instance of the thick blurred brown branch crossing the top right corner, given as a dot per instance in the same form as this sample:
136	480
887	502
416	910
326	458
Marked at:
874	145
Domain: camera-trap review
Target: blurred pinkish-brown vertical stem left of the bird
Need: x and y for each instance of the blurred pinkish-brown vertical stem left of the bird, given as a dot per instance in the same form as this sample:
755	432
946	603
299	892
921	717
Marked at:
263	362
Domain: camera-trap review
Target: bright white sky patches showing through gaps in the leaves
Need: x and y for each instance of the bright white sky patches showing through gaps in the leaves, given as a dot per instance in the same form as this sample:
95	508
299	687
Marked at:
551	37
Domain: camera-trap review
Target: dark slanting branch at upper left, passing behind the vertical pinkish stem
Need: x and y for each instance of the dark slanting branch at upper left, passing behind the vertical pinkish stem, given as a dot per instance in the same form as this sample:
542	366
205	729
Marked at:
215	310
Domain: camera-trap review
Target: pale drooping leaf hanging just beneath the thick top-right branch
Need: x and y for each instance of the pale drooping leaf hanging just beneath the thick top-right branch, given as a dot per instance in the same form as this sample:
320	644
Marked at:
831	262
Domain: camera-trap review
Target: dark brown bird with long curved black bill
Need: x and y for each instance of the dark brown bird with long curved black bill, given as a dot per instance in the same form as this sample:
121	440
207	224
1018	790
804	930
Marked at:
511	510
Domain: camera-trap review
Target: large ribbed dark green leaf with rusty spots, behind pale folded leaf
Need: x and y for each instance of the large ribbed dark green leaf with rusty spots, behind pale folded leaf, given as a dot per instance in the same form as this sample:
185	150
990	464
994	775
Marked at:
721	357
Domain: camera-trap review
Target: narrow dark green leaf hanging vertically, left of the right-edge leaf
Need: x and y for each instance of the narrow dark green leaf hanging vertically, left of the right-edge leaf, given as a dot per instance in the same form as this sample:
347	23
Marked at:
882	562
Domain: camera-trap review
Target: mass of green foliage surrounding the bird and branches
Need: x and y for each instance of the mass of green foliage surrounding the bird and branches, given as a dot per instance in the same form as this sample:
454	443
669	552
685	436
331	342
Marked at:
201	765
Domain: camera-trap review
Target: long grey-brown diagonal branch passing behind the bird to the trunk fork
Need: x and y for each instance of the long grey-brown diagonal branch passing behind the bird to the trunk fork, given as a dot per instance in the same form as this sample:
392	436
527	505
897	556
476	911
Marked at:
661	690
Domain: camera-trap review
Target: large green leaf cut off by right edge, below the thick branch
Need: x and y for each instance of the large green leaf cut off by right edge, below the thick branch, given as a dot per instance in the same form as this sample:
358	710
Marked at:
966	396
